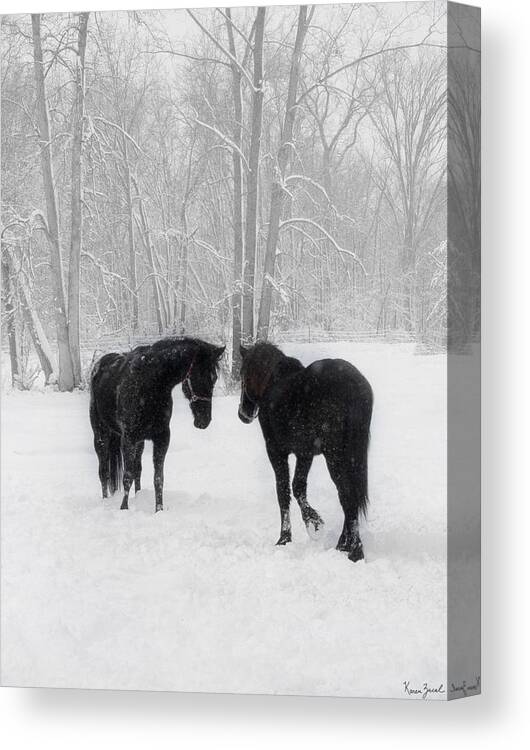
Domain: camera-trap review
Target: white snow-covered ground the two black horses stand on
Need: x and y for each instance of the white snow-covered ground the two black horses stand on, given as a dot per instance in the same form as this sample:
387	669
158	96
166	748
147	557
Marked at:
198	598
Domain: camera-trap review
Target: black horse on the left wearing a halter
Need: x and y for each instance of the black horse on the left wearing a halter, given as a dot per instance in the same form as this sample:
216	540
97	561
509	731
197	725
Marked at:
130	402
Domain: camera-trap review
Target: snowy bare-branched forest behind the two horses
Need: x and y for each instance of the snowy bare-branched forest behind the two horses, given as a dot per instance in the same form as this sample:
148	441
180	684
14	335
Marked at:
238	174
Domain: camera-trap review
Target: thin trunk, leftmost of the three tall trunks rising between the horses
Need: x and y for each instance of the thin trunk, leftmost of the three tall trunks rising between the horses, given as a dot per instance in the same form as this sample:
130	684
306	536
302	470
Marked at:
238	204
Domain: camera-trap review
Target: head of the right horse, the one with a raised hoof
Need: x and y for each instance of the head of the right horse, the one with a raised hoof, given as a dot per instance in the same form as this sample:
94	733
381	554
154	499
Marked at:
257	365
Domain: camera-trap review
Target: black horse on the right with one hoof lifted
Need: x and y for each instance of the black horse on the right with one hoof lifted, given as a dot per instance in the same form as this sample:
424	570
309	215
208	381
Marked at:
324	408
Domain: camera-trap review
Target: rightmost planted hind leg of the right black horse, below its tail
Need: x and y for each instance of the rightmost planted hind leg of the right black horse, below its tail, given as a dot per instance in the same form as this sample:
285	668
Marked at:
342	474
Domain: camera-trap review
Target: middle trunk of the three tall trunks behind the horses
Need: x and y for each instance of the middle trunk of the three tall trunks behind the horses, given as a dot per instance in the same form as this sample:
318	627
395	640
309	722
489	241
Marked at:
252	182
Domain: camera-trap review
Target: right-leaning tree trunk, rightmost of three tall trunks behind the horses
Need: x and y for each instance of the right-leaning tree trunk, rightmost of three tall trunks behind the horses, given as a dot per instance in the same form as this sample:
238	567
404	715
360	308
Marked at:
278	194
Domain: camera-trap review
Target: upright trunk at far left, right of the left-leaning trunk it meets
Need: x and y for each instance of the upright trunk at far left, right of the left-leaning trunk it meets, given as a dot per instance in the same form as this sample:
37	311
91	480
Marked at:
76	201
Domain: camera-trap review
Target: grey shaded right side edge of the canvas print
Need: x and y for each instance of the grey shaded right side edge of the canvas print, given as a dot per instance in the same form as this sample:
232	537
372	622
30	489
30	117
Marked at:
463	364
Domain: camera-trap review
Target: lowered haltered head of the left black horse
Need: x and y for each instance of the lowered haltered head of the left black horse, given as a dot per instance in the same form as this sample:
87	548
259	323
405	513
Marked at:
199	382
